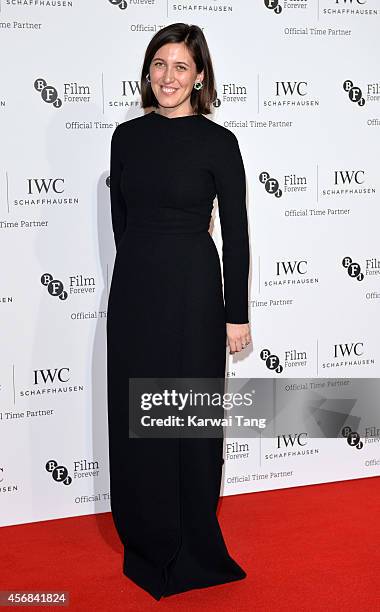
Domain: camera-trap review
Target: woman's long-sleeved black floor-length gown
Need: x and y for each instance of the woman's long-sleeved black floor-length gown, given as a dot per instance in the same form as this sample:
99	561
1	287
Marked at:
167	318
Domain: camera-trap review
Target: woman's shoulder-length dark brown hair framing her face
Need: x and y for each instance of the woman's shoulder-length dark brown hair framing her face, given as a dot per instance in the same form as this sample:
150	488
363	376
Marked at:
196	44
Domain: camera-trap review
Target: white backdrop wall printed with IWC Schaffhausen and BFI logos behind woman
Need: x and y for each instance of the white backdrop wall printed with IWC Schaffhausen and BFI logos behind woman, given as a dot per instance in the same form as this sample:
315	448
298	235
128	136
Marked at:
299	84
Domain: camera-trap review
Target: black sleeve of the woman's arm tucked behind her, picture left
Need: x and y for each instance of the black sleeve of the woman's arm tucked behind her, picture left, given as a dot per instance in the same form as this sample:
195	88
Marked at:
118	204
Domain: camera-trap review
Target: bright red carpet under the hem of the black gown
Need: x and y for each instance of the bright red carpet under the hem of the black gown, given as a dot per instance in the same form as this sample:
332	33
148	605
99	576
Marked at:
305	548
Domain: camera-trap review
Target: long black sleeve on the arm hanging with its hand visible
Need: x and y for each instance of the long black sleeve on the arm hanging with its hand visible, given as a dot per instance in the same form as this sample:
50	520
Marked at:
231	193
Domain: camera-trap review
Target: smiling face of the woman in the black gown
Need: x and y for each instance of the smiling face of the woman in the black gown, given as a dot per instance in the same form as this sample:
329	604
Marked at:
173	74
